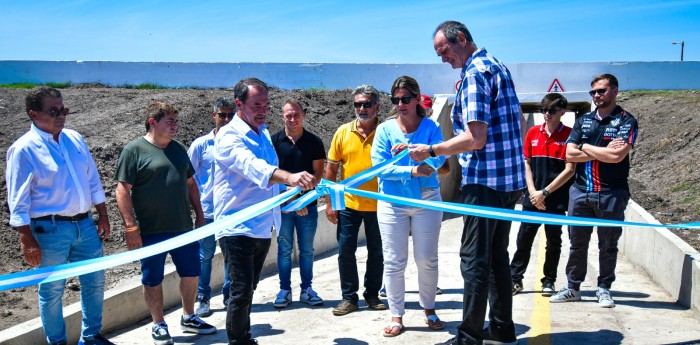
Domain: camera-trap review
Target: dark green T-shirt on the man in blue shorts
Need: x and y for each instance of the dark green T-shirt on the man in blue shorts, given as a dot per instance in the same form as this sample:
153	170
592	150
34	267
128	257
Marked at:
159	191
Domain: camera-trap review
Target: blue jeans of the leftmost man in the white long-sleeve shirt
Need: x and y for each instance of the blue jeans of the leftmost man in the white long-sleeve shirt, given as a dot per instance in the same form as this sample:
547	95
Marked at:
62	242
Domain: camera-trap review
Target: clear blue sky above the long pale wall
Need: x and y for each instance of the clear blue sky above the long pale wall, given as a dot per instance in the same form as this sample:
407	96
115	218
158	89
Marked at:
344	31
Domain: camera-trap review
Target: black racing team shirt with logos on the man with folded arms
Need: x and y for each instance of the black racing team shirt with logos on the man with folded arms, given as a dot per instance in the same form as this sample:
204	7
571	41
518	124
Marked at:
596	176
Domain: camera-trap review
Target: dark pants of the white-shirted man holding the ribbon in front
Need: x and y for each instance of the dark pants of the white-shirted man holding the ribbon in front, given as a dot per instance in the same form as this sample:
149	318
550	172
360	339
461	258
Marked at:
244	257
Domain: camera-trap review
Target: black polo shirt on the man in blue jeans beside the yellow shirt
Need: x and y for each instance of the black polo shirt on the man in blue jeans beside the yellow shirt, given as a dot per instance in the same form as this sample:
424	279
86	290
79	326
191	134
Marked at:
299	156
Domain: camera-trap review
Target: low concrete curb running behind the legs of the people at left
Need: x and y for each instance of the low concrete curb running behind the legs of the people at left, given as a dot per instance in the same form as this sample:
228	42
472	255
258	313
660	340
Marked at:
124	304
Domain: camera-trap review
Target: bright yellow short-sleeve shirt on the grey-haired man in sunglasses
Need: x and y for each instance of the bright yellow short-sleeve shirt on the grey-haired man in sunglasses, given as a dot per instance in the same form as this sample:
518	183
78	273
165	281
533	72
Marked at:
353	151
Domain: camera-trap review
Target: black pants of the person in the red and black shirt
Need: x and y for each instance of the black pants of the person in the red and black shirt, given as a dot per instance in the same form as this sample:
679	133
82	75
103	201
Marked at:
526	236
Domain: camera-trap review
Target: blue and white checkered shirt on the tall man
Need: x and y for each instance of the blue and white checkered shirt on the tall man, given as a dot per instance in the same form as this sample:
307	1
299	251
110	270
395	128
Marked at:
487	94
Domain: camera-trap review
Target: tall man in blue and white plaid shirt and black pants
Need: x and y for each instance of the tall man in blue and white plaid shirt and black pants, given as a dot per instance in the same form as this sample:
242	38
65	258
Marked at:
488	141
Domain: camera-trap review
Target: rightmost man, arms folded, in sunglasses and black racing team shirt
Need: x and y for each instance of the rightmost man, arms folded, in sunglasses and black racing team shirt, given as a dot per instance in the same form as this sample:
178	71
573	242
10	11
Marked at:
600	144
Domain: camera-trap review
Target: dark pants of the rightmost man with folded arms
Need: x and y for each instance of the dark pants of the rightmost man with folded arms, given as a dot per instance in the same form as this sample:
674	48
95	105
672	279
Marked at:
604	205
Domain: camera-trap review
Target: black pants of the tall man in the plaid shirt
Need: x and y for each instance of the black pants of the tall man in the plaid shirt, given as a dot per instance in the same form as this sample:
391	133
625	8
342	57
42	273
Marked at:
485	268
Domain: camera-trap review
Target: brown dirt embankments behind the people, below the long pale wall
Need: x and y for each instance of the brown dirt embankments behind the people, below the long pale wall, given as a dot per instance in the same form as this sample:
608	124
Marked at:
664	177
